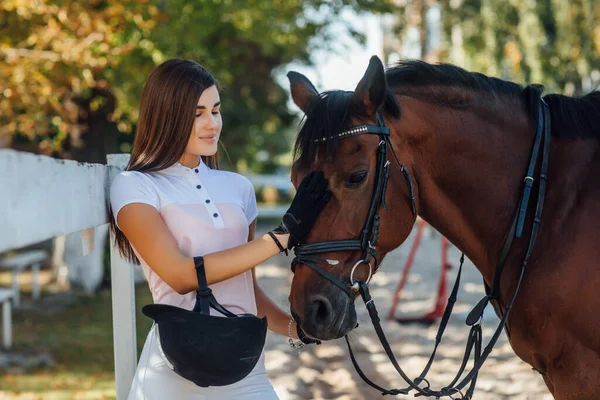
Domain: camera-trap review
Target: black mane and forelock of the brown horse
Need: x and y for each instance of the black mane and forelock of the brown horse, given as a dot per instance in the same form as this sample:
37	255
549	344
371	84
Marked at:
449	86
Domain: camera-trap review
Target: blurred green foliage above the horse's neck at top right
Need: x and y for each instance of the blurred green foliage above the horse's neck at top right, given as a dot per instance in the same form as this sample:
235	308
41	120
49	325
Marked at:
553	42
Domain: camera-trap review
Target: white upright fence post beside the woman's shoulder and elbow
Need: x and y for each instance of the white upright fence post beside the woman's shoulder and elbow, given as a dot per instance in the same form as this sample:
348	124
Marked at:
123	302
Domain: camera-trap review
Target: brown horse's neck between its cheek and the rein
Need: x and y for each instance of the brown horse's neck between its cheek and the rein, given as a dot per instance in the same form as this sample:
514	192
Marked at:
469	175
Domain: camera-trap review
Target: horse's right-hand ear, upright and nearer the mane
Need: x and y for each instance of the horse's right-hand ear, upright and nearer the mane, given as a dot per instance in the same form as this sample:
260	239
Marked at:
370	91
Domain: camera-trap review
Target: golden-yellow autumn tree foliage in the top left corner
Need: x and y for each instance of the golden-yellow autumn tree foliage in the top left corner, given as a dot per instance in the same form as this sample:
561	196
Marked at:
52	61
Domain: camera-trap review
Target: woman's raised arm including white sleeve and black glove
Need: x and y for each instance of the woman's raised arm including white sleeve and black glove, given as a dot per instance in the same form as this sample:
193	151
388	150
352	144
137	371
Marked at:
146	231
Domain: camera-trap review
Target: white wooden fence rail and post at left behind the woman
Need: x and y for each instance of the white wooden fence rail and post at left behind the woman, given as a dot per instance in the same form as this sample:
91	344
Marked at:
42	198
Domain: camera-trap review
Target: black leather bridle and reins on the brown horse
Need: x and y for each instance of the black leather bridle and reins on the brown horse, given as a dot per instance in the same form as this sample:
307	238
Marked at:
305	254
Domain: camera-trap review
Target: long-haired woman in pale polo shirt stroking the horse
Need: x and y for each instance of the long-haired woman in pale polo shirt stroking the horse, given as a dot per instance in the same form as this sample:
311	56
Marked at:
172	205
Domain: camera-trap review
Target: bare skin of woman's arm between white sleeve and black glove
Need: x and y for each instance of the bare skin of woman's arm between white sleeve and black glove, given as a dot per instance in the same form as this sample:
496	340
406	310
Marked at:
146	231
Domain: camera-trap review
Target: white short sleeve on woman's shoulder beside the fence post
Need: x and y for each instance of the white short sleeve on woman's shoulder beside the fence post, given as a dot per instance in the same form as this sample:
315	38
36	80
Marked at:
131	187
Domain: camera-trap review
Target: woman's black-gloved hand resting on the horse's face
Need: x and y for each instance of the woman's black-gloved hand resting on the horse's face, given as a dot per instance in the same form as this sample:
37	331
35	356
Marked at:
310	199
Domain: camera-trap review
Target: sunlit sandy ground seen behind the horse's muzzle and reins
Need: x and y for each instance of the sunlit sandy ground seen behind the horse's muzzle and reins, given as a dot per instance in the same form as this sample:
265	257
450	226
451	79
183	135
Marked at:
326	372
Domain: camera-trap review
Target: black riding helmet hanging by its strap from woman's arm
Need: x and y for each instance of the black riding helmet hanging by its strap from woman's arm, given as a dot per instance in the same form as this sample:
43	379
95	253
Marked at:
208	350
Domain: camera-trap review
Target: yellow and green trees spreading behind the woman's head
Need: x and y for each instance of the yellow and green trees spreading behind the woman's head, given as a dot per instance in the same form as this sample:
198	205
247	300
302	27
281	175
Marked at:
74	69
